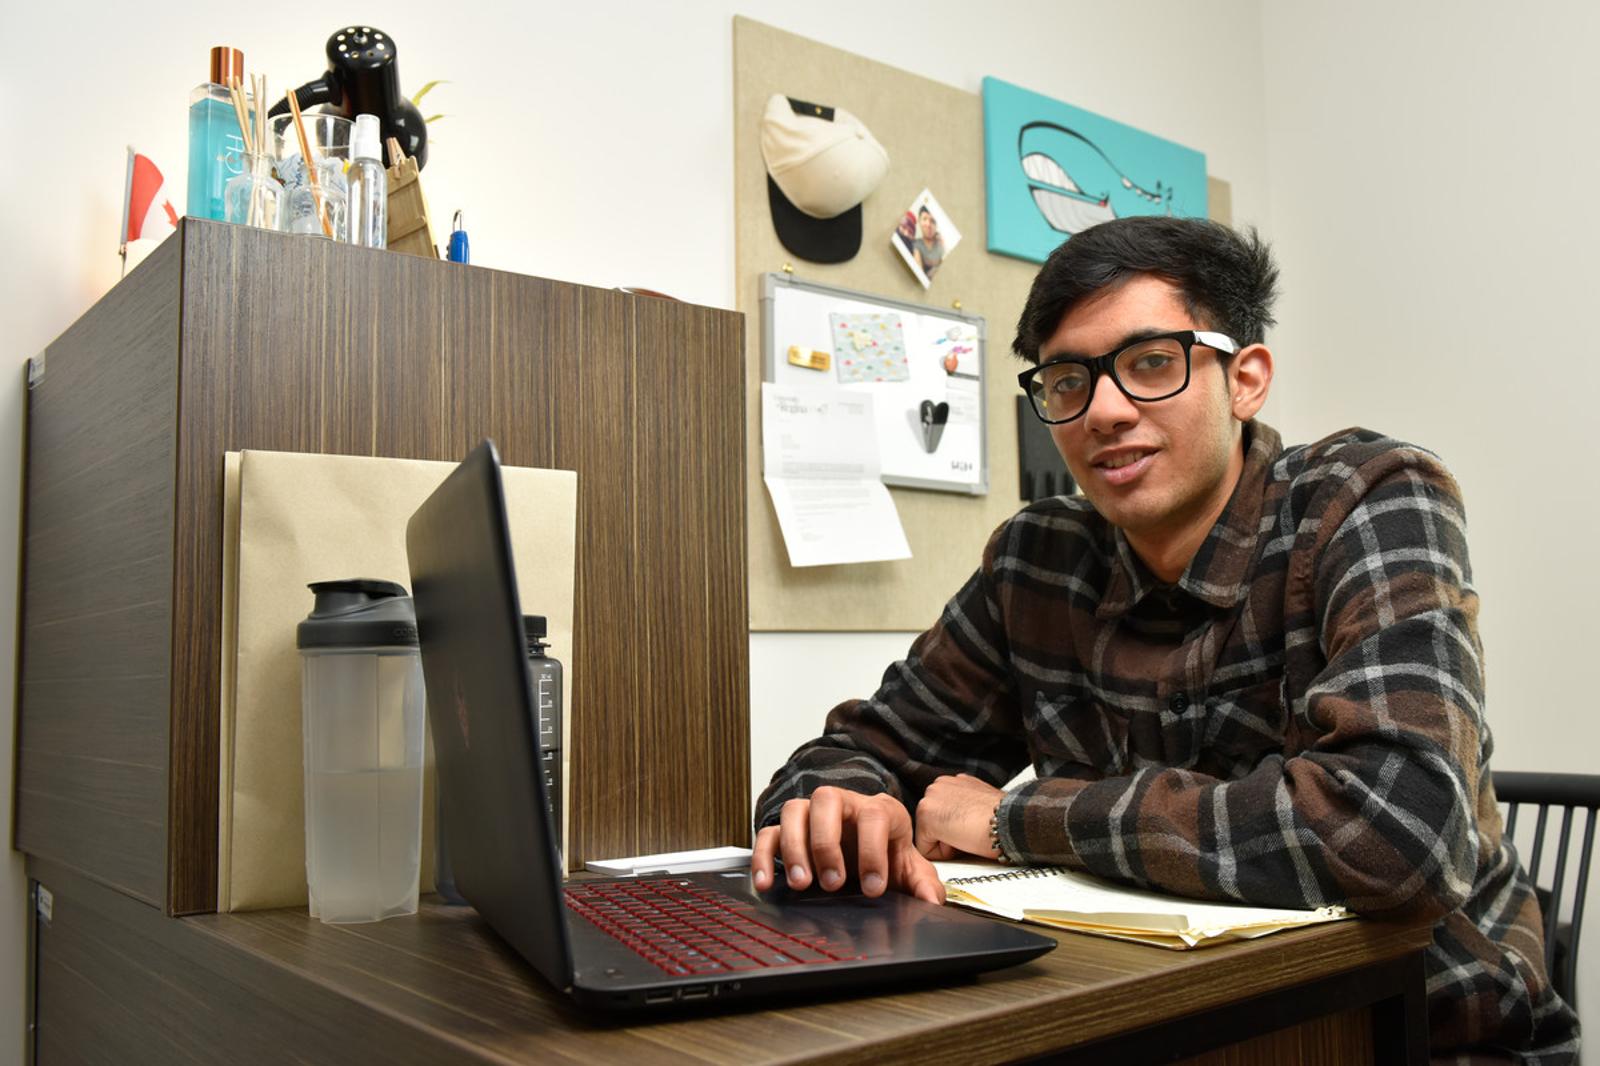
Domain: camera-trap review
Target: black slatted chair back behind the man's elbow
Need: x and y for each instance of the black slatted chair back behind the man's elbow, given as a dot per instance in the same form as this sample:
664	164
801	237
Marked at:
1545	793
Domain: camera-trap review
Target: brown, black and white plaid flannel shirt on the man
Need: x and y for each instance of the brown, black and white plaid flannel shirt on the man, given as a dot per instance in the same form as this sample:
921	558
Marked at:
1297	723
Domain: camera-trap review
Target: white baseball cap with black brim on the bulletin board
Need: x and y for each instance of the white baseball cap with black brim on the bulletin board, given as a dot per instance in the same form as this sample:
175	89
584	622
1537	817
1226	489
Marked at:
822	164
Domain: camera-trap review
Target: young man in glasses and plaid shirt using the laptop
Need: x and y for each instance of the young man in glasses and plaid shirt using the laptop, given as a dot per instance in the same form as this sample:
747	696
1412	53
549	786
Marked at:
1239	671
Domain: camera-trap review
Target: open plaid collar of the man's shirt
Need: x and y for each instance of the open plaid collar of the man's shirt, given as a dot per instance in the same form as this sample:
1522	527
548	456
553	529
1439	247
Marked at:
1220	572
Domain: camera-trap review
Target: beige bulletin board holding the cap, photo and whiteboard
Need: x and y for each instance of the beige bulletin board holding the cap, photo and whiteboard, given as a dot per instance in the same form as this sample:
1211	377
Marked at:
934	135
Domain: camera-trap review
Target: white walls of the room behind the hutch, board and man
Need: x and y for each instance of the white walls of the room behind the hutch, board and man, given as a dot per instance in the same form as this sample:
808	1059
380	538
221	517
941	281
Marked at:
1425	170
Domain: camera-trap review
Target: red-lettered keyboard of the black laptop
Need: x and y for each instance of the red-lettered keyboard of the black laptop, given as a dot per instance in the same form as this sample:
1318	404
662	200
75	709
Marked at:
686	929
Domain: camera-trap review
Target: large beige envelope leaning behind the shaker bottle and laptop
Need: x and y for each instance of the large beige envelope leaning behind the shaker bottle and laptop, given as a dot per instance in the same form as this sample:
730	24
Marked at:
292	519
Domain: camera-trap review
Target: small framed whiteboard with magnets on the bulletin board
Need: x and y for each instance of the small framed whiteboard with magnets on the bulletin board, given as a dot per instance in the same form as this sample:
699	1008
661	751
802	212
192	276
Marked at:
910	358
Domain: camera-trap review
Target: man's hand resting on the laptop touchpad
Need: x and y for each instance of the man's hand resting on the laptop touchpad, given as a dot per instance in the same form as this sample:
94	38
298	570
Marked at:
838	830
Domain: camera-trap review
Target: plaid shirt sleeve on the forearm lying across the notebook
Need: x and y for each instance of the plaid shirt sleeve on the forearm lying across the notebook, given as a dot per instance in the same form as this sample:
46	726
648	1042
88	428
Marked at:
1372	803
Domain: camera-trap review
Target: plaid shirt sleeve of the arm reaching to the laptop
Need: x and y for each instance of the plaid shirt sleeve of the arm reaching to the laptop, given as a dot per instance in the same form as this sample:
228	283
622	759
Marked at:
950	707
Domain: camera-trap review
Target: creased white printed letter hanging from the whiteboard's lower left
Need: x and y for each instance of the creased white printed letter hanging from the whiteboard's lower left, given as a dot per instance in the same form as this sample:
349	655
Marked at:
822	470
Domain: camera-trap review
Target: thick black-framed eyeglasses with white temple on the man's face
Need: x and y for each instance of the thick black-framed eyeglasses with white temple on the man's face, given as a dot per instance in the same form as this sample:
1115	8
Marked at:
1146	371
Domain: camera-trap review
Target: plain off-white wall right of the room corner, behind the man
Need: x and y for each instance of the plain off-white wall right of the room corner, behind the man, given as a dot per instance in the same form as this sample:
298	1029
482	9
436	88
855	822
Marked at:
1433	175
